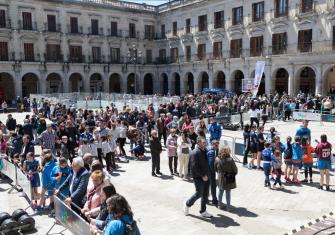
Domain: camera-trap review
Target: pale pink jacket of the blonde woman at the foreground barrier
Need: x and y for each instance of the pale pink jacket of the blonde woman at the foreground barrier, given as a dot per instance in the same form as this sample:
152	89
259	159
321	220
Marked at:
93	202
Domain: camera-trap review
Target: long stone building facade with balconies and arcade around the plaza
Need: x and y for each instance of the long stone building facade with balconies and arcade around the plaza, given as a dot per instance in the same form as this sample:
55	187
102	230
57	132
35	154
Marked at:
54	46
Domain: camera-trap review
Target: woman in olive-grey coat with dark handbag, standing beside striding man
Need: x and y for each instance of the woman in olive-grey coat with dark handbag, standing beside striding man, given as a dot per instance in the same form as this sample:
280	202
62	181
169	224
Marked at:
227	170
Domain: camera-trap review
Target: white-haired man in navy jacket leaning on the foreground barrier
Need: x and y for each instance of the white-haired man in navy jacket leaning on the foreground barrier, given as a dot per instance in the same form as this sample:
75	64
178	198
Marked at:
77	182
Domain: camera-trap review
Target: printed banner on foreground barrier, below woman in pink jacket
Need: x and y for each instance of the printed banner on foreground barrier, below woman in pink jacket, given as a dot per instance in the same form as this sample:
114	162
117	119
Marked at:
70	220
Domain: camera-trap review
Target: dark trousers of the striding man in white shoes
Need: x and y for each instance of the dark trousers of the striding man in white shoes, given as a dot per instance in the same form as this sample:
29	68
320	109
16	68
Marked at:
201	191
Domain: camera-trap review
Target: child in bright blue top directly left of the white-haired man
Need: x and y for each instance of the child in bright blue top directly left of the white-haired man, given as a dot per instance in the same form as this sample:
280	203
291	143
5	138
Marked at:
59	174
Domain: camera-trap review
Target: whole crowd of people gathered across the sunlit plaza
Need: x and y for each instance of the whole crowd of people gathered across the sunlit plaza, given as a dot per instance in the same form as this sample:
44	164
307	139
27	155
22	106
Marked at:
82	148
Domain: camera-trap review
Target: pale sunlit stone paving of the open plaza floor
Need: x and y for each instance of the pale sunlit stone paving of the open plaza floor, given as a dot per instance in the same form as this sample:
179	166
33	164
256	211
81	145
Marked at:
157	202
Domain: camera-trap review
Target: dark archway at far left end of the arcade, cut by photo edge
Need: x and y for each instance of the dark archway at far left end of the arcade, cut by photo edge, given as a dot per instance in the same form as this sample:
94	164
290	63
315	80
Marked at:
7	88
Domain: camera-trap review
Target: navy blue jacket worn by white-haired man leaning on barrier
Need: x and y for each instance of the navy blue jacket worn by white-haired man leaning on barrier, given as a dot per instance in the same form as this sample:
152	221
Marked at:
79	186
